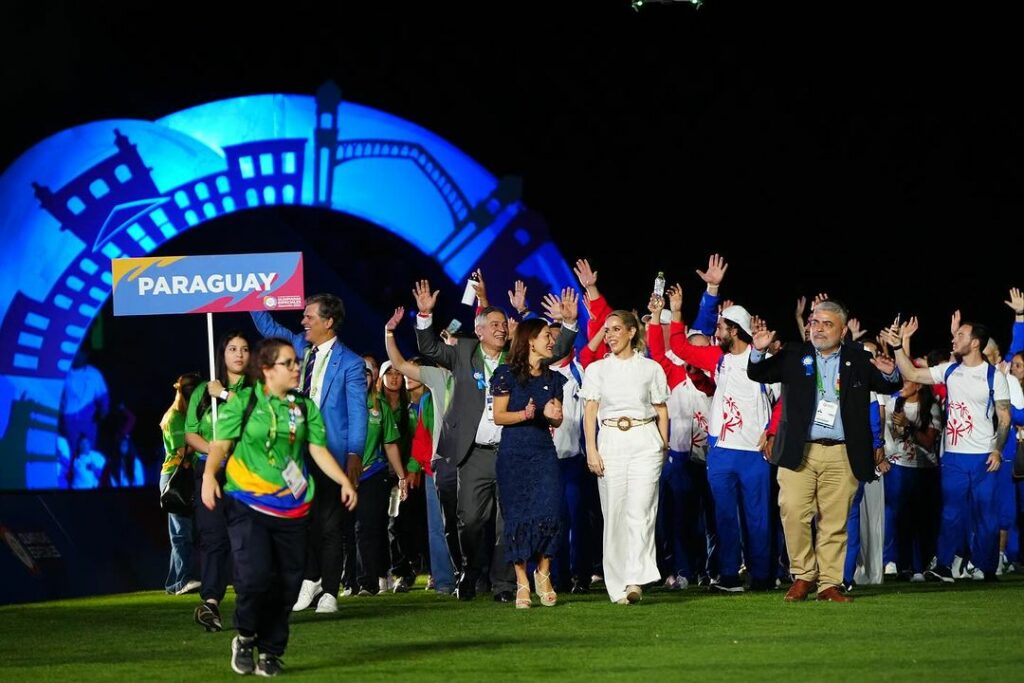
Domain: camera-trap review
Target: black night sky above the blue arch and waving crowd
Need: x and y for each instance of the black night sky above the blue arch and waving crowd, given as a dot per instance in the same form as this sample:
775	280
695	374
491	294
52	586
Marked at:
874	156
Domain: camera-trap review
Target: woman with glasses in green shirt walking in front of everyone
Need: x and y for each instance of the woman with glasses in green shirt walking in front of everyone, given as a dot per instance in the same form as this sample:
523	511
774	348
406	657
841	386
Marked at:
269	496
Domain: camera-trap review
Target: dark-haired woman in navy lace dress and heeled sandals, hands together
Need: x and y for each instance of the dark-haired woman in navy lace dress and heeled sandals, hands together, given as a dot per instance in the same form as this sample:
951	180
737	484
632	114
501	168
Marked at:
527	403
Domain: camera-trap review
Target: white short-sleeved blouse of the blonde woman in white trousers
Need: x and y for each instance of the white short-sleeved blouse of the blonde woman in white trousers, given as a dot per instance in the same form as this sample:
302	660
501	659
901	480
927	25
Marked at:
625	389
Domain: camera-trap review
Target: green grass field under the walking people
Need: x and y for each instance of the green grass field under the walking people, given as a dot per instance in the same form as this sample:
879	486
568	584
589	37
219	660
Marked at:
920	632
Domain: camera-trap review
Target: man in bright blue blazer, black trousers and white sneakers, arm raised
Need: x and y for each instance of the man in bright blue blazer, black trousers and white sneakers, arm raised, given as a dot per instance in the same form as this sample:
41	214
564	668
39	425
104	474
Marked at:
333	376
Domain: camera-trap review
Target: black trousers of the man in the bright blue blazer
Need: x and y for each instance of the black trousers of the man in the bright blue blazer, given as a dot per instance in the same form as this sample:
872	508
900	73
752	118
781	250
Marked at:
325	549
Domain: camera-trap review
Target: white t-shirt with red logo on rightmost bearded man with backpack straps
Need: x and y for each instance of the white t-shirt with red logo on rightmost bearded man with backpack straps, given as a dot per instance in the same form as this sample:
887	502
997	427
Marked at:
969	412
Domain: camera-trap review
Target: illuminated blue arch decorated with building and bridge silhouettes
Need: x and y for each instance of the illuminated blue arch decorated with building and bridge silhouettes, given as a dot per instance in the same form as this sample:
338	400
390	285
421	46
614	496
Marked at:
123	188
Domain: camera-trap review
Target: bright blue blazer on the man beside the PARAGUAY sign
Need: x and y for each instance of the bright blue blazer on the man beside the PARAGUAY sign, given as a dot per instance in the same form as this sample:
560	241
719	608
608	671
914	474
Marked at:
344	396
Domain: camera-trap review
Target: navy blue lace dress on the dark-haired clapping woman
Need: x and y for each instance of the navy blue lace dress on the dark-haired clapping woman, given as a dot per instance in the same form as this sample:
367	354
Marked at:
529	488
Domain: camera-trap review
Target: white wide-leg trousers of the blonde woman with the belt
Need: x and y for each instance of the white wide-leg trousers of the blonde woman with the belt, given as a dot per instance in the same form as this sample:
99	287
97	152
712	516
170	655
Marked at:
629	502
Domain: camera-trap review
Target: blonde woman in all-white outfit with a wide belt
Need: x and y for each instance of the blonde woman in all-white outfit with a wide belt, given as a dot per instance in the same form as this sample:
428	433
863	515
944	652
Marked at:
627	393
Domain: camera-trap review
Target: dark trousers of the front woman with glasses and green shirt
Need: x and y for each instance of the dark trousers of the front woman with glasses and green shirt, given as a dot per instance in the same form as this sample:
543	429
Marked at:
270	558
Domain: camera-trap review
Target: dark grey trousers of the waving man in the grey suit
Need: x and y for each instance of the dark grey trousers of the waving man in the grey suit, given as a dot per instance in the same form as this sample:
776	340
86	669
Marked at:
481	527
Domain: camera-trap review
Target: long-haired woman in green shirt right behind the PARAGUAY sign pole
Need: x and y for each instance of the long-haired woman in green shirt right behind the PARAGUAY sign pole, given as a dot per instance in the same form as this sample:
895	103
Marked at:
215	548
